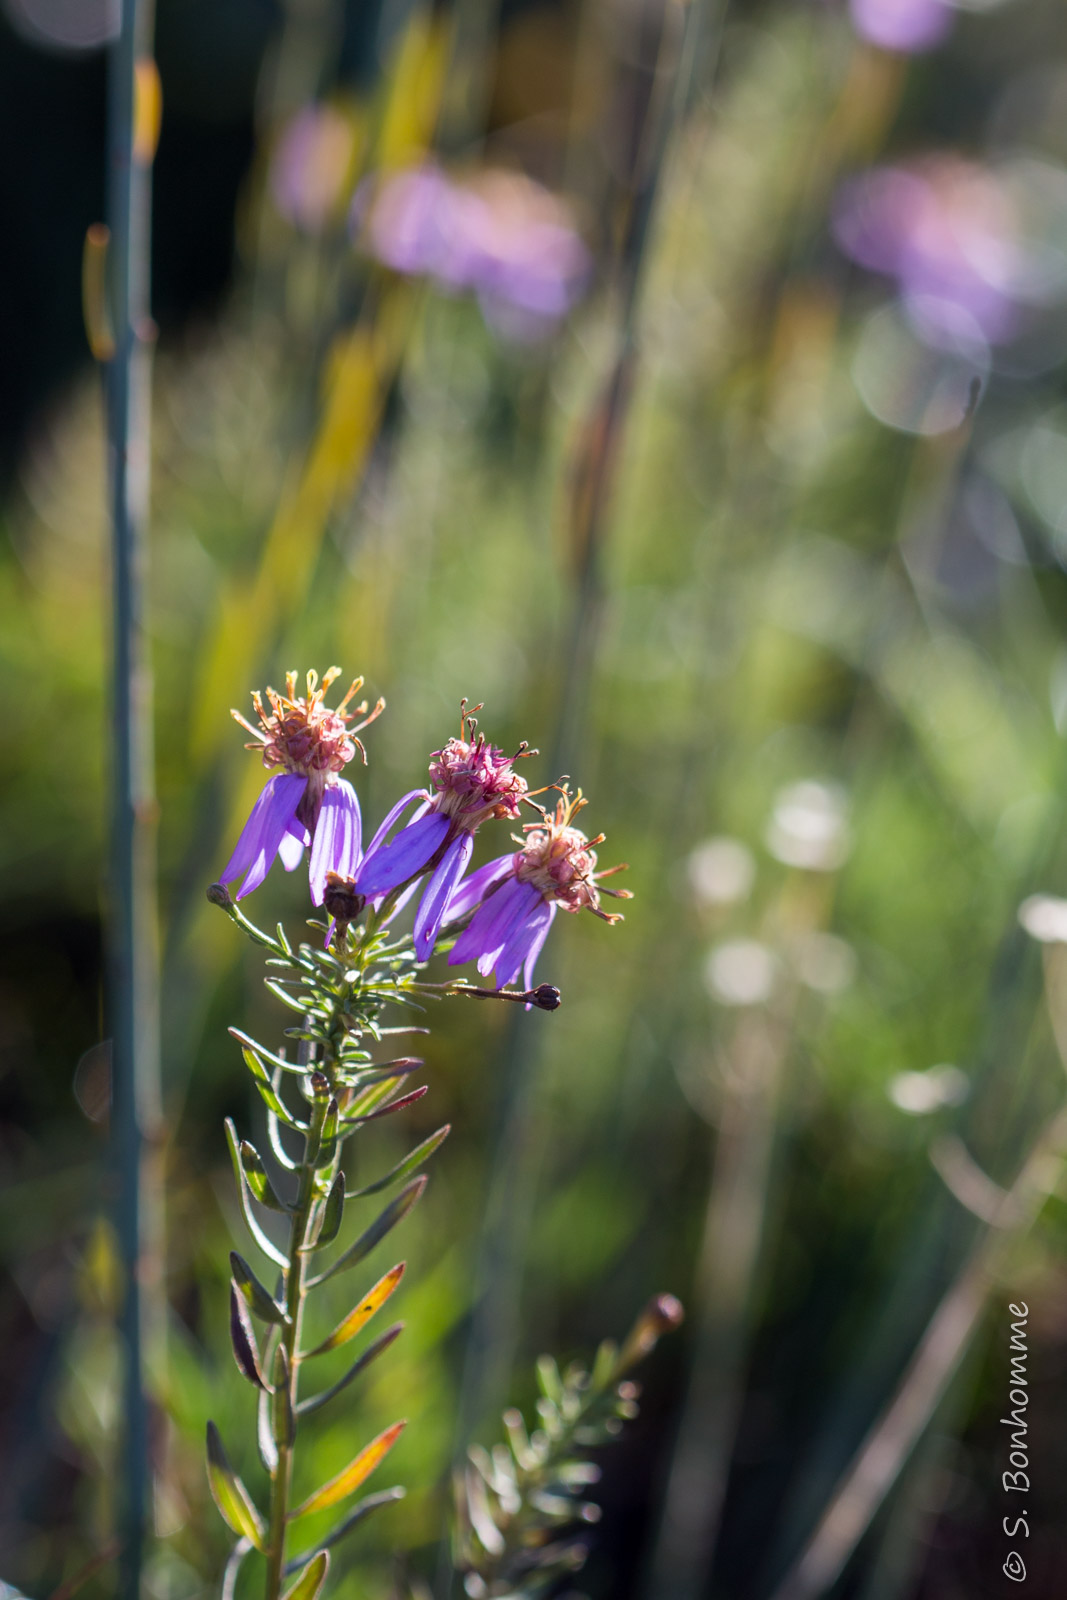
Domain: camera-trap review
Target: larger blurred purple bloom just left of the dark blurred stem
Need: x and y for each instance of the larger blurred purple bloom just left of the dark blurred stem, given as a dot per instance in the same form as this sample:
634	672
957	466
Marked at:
497	234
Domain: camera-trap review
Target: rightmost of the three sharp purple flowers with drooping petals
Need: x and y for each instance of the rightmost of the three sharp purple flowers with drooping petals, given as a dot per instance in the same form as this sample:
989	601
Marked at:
516	898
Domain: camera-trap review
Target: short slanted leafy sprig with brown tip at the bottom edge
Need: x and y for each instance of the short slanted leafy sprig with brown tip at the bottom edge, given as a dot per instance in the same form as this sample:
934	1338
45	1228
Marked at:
521	1508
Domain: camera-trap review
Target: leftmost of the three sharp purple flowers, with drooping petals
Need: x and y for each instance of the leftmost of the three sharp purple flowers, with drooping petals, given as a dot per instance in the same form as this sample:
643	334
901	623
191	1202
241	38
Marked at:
308	802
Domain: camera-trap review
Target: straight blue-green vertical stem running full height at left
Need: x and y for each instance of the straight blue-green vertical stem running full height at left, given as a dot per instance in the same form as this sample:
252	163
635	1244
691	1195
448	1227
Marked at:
132	911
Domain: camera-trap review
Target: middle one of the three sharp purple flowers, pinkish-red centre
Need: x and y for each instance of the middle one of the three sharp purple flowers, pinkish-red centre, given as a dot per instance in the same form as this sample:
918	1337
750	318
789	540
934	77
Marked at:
471	782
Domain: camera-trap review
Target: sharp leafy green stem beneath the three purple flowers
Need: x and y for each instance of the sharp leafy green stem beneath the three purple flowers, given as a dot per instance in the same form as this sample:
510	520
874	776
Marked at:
340	994
